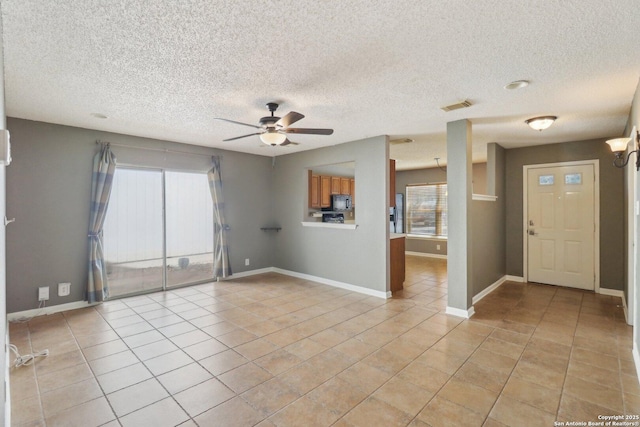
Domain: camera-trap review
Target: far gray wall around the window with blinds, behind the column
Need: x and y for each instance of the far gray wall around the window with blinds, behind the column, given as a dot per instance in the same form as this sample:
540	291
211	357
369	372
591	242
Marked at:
428	176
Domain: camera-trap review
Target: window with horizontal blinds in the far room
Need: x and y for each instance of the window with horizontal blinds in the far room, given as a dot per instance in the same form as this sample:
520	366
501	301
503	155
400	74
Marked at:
426	210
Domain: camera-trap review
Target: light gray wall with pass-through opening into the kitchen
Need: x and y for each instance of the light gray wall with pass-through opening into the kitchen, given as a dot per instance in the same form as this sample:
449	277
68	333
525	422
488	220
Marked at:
358	257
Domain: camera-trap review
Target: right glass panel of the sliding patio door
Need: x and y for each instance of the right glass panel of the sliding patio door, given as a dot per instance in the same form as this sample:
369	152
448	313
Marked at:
189	216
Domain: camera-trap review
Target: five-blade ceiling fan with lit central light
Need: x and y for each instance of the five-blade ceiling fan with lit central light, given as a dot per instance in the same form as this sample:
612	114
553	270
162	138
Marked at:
274	130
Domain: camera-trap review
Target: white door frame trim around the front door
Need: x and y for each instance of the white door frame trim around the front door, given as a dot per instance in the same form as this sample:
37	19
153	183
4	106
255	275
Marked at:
596	206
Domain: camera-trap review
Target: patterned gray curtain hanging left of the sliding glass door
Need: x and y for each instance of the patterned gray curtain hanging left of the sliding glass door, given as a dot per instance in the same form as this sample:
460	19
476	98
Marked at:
104	166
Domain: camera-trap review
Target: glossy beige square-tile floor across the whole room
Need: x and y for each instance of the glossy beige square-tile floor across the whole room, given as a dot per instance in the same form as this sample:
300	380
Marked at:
272	350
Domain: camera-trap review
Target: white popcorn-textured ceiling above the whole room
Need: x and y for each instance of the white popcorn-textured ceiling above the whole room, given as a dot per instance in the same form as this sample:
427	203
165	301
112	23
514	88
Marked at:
164	68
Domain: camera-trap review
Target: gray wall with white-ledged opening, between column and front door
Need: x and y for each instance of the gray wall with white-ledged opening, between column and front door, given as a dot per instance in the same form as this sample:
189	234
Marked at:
488	230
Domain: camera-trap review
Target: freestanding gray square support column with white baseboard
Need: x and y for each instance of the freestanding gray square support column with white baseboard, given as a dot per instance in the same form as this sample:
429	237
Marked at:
460	193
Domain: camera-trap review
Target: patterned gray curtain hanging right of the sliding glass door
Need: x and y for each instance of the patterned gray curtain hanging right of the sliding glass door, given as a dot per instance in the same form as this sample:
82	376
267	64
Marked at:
221	265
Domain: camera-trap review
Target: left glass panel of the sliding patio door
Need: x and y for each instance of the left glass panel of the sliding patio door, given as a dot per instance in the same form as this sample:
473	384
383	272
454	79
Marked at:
133	238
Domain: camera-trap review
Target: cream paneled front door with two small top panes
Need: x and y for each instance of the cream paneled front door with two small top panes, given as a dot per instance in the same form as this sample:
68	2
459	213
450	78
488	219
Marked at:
560	222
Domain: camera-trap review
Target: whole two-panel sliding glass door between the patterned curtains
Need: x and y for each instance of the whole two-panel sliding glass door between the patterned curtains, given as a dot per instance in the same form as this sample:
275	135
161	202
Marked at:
158	231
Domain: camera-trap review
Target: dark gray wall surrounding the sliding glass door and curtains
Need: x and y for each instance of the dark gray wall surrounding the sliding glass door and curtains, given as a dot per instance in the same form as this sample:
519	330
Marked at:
48	190
